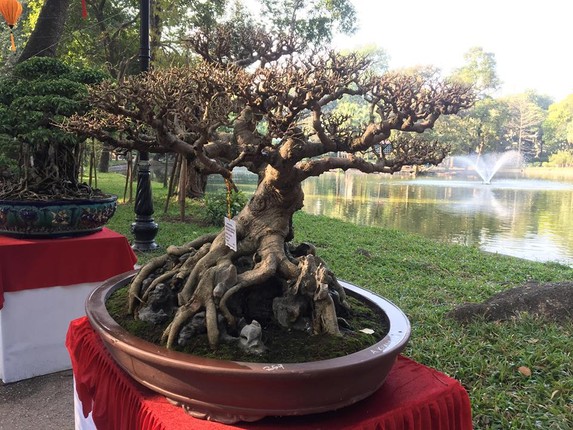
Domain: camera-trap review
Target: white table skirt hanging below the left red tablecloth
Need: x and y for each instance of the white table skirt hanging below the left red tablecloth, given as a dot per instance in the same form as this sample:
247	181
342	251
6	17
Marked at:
33	327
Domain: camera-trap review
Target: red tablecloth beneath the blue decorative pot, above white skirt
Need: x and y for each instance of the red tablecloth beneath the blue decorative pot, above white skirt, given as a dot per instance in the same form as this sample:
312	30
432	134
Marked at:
28	264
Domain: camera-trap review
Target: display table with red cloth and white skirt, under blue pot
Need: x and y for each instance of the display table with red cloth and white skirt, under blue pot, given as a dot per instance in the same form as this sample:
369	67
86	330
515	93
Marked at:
43	286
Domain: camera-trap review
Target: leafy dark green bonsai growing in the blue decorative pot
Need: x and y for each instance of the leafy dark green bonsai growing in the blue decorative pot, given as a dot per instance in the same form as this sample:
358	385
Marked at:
39	160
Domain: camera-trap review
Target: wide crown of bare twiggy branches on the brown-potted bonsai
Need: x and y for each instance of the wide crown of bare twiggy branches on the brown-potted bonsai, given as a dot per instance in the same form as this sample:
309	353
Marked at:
183	110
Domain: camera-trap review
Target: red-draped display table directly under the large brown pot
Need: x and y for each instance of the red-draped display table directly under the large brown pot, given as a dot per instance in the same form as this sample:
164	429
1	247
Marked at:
414	397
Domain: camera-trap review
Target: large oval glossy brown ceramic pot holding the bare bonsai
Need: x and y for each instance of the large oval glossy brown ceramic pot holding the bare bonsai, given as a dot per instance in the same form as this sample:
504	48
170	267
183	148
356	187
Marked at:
230	391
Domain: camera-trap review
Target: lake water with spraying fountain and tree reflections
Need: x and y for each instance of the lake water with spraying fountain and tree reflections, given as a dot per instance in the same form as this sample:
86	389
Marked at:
526	218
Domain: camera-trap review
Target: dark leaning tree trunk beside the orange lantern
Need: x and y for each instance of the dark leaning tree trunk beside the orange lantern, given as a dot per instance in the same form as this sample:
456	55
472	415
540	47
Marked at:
44	39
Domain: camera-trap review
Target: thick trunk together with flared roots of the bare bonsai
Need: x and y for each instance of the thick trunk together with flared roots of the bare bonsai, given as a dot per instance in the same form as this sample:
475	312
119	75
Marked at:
206	275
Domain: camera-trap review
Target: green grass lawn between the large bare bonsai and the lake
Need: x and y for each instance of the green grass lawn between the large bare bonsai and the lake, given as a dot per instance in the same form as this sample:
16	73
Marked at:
426	279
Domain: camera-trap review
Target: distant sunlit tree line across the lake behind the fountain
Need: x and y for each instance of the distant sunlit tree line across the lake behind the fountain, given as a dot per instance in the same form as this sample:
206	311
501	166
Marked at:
536	126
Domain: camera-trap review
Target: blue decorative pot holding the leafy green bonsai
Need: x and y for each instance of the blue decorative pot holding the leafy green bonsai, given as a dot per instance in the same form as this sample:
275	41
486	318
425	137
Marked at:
56	218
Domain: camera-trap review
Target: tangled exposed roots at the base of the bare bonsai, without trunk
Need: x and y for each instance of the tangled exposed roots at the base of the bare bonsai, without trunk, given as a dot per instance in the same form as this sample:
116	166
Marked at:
205	275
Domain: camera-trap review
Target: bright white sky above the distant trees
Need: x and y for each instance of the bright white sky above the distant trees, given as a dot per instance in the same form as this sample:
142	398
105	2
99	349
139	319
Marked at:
532	40
